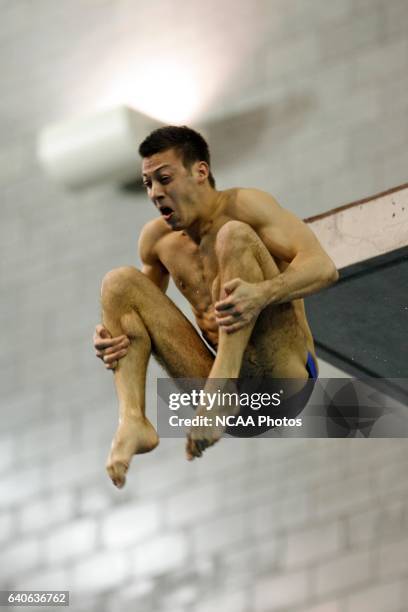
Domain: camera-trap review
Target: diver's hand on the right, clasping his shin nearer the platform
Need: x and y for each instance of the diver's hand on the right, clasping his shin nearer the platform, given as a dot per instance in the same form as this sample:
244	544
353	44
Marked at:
241	305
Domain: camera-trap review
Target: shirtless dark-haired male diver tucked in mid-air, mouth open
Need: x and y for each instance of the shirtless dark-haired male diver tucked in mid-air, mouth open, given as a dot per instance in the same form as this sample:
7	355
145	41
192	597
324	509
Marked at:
242	261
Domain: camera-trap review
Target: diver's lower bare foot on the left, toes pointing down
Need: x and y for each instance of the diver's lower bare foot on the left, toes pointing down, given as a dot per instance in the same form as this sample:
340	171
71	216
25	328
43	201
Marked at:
132	437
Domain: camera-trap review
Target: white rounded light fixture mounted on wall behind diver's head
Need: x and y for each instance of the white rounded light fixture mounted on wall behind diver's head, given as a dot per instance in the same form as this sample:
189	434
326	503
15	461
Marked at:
95	149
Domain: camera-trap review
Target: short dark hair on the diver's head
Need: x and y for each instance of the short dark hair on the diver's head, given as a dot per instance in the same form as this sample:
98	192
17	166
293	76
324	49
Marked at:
190	145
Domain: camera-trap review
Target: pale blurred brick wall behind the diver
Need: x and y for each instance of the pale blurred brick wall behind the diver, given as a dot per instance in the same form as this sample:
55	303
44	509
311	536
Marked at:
319	92
